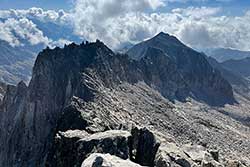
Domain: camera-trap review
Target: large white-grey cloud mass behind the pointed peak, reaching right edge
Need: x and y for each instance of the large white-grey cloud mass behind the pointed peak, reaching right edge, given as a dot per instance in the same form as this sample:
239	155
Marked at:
116	22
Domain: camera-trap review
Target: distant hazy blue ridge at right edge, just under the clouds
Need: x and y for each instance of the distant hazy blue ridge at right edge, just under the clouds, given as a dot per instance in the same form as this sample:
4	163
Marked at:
223	54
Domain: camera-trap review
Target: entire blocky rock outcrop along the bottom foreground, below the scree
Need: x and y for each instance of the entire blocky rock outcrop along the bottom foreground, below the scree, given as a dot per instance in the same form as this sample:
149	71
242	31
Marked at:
141	147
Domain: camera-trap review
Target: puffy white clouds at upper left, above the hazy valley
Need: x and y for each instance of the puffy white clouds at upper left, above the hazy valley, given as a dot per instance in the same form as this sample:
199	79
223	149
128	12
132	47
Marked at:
17	26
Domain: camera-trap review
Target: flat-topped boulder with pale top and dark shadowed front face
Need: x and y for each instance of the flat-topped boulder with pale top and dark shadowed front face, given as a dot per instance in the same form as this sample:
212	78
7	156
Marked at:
73	146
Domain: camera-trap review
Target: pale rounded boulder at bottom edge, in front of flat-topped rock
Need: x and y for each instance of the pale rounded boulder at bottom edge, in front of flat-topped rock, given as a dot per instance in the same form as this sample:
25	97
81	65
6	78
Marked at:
107	160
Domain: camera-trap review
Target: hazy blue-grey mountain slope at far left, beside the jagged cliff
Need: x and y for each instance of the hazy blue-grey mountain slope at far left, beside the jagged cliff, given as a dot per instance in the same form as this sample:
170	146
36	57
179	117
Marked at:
15	63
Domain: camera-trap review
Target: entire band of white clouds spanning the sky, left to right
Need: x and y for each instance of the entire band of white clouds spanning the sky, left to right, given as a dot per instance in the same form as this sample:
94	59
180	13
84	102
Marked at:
121	22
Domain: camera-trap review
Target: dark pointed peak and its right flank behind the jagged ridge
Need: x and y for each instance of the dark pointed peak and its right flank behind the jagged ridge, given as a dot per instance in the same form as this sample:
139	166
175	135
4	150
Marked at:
204	82
